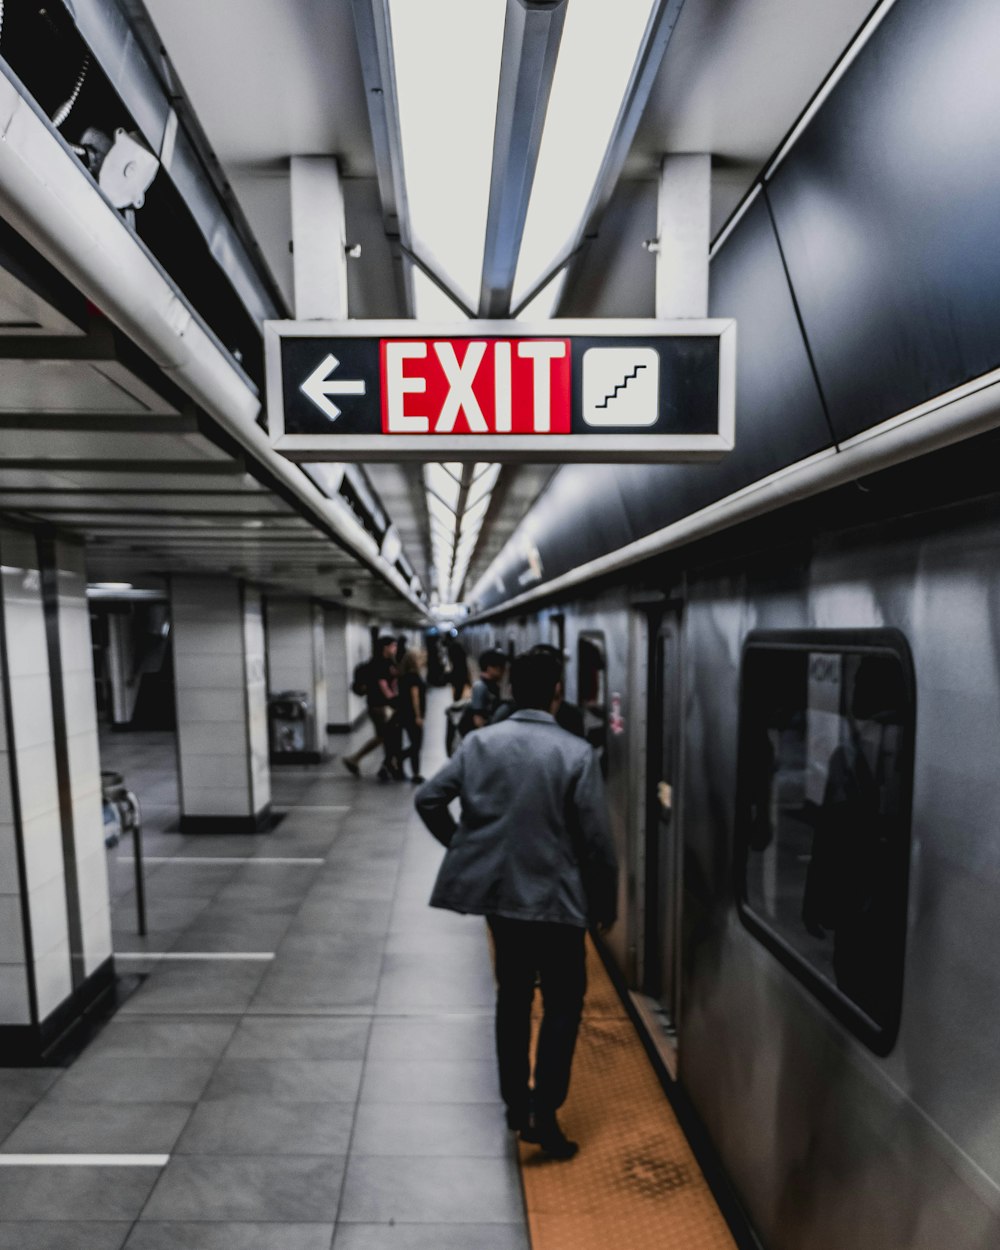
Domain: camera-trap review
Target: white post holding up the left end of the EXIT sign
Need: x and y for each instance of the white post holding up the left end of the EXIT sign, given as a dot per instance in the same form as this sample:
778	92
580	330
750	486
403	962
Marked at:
319	239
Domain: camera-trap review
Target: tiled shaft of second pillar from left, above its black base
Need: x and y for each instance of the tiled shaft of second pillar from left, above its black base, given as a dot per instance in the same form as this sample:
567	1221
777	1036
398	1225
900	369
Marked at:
214	718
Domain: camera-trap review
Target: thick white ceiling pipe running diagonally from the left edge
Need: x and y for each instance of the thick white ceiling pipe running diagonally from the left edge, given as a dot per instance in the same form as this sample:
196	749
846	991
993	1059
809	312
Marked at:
49	198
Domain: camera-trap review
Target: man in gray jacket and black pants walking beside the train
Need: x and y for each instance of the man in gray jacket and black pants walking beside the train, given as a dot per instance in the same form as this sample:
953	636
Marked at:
533	853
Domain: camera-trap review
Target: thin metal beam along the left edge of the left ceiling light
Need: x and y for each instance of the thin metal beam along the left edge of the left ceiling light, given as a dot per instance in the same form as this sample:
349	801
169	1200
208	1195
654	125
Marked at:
378	72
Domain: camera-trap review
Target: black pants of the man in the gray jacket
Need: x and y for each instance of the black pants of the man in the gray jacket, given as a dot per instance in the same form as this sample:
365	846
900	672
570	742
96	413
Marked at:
556	954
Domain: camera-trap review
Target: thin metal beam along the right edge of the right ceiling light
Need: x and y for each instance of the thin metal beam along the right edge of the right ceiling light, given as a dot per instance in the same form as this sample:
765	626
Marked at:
658	34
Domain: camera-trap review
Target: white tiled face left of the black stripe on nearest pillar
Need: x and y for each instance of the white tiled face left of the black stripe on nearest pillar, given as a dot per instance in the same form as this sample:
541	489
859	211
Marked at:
31	741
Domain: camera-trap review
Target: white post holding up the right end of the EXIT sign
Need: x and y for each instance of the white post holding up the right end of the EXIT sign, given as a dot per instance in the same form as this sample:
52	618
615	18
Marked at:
684	237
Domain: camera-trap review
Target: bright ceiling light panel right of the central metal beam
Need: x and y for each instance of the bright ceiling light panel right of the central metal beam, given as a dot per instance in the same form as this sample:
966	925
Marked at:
596	62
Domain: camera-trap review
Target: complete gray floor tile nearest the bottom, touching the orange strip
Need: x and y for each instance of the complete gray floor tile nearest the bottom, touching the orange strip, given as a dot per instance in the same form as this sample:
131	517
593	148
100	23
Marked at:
418	1191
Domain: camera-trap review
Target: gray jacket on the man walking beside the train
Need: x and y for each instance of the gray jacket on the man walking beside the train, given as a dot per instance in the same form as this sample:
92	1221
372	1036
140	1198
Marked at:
534	839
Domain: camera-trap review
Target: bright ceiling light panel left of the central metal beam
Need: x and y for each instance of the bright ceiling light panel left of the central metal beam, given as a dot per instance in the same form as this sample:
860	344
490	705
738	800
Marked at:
448	77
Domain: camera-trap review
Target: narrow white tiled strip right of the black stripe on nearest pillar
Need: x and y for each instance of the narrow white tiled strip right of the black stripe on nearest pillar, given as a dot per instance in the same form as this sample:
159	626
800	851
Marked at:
81	716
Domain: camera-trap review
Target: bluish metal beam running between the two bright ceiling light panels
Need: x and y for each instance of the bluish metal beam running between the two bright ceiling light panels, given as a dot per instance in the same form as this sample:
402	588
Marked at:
532	36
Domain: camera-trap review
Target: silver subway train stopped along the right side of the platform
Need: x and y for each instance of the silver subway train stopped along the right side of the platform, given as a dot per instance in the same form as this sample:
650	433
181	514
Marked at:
809	917
